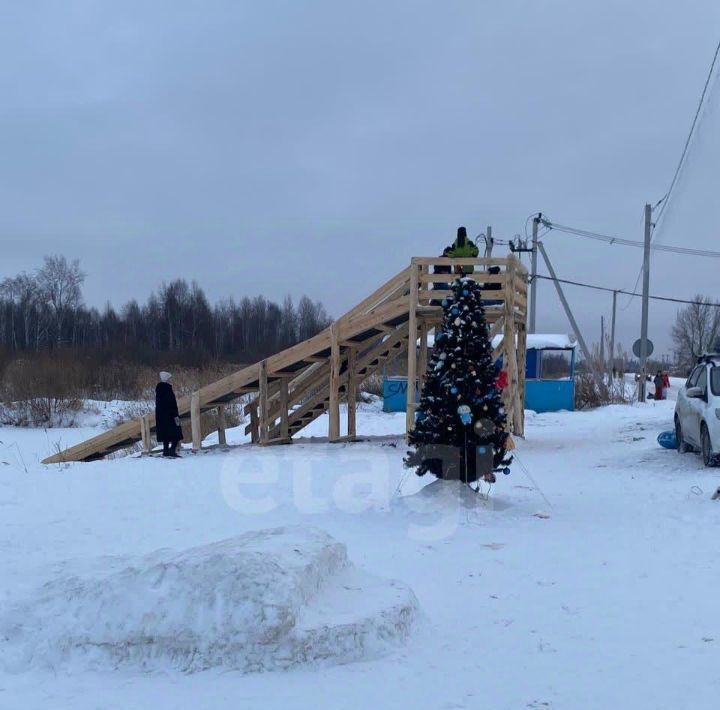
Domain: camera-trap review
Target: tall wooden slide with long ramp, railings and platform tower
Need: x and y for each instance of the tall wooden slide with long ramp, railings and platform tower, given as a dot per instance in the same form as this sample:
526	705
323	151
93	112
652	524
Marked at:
295	386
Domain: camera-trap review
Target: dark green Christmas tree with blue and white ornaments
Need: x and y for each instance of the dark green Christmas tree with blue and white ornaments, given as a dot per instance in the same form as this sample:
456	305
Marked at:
460	423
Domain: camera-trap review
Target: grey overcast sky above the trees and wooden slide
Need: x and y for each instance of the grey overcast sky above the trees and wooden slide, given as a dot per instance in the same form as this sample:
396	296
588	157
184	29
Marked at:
315	146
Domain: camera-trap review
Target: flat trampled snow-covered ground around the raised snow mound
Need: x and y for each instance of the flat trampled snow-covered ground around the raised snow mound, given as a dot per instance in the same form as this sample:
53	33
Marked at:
587	580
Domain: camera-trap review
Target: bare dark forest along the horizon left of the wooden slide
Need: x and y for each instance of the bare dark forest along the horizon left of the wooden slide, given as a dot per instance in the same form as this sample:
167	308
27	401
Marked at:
45	310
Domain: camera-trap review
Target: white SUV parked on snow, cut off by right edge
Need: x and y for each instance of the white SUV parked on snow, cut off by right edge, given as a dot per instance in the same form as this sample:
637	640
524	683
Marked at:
697	411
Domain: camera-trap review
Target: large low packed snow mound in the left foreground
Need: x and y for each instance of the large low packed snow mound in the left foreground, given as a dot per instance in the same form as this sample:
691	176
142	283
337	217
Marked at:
266	600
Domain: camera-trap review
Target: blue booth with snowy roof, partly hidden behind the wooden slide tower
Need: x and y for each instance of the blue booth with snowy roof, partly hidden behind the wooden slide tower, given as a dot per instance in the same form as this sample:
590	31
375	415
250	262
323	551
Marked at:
549	376
